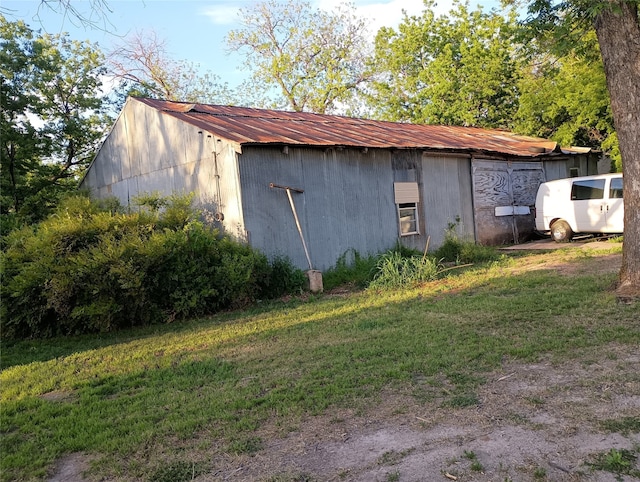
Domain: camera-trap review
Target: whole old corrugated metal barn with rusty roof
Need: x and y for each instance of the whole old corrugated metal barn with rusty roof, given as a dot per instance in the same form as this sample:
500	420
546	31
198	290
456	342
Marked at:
316	187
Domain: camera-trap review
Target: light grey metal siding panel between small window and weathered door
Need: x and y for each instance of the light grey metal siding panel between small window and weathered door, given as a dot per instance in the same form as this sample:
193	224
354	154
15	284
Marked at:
447	197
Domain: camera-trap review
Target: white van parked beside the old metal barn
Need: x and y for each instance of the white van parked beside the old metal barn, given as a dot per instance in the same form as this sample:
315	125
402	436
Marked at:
589	204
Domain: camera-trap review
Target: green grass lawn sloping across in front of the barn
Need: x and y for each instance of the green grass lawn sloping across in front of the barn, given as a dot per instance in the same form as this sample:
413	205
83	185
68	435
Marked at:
140	401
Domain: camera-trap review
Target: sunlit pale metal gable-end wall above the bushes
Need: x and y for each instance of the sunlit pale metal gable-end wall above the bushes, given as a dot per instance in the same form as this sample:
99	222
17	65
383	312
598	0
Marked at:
147	151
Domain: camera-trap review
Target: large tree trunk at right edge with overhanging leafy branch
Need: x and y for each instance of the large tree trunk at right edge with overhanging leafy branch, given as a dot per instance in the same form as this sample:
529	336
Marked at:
617	26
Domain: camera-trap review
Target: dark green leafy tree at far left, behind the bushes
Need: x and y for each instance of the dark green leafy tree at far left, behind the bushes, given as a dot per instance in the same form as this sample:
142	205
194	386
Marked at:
52	116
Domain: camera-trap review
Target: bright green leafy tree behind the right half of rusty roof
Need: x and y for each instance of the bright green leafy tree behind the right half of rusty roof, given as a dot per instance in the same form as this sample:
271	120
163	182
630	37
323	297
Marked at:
455	69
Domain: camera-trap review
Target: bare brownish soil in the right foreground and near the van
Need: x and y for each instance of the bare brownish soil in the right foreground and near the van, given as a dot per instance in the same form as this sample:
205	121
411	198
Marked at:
536	422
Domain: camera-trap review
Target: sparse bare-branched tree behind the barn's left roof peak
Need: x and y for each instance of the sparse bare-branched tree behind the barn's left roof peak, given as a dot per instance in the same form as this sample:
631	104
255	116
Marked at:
144	63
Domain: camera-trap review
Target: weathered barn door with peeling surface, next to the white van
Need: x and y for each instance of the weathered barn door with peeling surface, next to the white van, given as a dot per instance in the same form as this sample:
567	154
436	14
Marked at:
503	195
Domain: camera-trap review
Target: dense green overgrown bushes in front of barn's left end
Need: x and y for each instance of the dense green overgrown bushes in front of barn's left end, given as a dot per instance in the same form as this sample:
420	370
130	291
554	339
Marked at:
93	268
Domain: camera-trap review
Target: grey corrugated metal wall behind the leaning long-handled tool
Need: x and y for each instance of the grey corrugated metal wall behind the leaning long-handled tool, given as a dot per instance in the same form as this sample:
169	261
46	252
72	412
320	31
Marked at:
347	202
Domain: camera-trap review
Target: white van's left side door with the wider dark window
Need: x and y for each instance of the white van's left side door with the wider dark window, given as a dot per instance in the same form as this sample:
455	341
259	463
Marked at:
589	205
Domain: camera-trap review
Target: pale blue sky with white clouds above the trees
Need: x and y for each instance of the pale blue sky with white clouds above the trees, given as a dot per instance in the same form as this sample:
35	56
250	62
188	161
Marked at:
194	30
